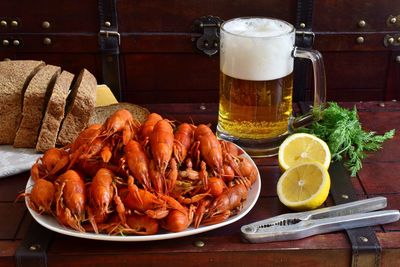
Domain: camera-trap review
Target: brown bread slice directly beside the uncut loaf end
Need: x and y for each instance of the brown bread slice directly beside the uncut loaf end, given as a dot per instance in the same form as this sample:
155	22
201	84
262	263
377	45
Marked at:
34	105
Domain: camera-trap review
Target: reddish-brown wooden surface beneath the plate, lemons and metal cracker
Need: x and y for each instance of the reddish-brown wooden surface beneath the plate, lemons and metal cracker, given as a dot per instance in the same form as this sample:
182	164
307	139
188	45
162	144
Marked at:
223	247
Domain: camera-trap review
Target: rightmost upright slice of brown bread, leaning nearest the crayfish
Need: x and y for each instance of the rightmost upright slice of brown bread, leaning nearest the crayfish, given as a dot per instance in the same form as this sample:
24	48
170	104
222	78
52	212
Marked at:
80	108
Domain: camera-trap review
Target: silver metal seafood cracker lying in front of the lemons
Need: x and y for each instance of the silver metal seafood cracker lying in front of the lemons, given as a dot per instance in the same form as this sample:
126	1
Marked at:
292	226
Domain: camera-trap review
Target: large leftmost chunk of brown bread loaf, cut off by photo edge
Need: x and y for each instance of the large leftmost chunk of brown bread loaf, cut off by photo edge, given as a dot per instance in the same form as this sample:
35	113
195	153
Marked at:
15	75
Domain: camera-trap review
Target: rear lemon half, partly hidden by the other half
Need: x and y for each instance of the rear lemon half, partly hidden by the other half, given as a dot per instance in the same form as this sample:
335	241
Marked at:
302	147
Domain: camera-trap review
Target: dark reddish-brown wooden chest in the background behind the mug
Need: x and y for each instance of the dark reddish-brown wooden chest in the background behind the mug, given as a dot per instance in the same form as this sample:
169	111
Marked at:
158	58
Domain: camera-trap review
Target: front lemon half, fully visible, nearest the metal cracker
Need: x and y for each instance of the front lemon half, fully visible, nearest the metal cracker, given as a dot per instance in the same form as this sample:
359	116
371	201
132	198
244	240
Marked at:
304	186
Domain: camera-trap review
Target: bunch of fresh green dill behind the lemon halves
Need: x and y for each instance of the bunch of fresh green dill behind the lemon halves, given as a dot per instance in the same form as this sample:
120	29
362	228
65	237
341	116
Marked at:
341	129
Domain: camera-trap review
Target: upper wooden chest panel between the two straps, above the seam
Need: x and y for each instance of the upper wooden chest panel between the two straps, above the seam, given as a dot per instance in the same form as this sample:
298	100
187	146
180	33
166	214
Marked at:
177	16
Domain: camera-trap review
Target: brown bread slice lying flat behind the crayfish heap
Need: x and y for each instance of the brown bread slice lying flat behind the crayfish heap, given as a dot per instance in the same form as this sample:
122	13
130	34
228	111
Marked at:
103	112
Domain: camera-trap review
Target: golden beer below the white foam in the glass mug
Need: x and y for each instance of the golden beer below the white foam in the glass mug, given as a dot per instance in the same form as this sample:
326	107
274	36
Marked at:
254	109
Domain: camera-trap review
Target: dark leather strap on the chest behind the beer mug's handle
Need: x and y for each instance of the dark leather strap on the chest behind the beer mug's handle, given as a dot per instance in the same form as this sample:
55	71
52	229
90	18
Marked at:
305	39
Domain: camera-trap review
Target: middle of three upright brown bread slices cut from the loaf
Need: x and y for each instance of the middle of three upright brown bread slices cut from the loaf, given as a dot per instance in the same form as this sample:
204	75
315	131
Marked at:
54	112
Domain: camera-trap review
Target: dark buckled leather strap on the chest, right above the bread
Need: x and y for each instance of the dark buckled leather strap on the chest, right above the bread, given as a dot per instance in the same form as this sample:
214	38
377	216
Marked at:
109	42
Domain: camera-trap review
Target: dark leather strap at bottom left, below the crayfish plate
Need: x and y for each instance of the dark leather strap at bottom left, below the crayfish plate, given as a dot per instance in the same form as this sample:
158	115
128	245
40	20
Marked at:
32	251
